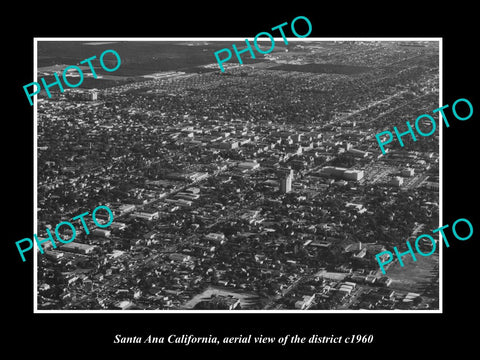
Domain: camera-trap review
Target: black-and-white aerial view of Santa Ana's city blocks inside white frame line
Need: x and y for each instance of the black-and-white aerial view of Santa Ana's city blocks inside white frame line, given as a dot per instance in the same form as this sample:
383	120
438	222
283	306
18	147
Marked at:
258	188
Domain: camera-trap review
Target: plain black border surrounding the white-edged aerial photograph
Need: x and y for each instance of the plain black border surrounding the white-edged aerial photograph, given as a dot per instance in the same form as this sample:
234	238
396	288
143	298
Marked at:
403	333
